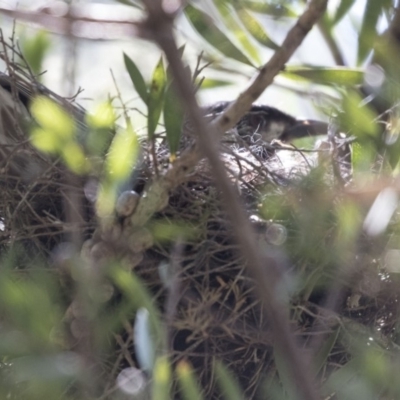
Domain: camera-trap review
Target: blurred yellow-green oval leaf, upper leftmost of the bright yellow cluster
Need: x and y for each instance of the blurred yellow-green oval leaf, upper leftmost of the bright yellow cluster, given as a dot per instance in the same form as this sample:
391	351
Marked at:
51	117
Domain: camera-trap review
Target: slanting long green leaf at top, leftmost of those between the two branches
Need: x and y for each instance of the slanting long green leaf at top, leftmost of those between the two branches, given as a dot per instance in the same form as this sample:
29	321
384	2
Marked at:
204	25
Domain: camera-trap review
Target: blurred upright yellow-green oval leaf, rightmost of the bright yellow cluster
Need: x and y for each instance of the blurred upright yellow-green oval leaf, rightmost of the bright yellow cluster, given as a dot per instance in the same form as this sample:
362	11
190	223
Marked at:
123	154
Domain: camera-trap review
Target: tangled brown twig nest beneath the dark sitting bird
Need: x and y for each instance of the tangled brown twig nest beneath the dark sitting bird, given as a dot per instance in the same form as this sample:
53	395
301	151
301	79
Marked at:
211	310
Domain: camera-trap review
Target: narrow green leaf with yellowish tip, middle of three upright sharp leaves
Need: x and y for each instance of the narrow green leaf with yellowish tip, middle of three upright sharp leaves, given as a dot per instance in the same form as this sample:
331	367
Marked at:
156	98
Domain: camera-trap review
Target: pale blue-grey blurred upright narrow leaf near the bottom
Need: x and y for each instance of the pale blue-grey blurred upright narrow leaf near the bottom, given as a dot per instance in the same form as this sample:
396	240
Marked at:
145	348
